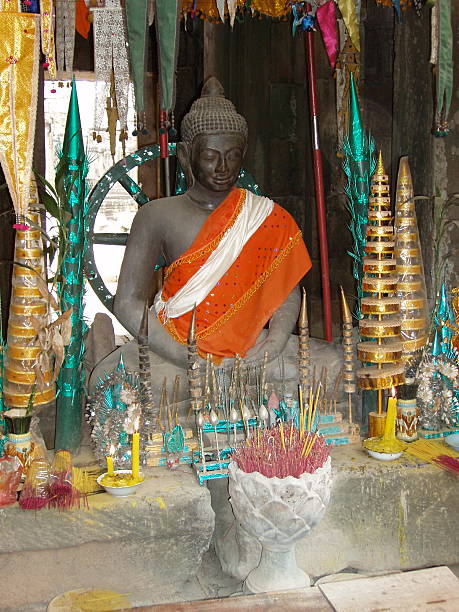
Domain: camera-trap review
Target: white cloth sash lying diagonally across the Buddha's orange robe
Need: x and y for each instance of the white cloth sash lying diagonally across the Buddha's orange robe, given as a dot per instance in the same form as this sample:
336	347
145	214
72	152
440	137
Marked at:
253	213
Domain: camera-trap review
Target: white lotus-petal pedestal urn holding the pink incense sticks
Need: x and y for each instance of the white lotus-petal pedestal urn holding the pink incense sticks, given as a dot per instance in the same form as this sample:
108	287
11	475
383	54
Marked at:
278	512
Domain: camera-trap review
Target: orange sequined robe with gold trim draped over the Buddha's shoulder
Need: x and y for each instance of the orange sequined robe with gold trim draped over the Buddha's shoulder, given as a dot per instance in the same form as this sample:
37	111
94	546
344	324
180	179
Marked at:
270	265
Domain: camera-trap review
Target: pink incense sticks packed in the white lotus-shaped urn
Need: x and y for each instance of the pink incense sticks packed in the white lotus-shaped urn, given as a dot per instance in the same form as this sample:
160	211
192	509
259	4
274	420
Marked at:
281	452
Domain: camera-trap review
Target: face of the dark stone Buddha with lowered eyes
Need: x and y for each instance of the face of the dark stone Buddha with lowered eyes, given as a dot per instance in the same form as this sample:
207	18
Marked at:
216	160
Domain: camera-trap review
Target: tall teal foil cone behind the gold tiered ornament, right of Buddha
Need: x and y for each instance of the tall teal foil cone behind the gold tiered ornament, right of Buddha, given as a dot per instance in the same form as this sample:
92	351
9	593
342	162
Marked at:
359	166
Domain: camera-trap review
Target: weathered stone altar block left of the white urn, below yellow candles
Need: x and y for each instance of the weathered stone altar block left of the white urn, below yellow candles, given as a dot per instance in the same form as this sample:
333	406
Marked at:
153	539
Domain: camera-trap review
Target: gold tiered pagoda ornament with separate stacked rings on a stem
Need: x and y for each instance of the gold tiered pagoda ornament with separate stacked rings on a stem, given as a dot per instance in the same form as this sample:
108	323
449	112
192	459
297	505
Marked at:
381	348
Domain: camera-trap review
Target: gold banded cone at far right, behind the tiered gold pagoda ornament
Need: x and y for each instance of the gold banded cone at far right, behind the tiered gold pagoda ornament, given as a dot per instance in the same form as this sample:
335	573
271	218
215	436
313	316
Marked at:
411	287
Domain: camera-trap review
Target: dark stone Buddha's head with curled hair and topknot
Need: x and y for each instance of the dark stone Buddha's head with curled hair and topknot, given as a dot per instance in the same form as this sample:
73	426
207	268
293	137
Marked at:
214	140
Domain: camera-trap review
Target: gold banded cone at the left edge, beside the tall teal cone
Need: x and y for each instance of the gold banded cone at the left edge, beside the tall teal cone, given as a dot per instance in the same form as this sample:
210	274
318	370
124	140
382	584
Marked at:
28	311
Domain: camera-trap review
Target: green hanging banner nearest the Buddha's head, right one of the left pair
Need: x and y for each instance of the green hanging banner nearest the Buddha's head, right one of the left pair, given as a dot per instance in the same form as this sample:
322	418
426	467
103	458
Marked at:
167	30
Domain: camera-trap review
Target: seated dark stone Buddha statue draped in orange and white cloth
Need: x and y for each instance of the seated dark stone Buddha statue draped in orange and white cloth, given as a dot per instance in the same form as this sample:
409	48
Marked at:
237	257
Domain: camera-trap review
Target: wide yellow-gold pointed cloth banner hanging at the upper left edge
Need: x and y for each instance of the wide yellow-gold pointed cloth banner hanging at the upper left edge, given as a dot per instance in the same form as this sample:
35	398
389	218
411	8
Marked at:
19	62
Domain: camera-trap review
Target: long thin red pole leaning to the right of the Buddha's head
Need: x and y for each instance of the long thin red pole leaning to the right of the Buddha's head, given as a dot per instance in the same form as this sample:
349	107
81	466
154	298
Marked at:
319	185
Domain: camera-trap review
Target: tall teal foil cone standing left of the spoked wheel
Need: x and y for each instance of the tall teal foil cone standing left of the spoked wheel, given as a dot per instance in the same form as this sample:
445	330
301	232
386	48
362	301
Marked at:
71	188
